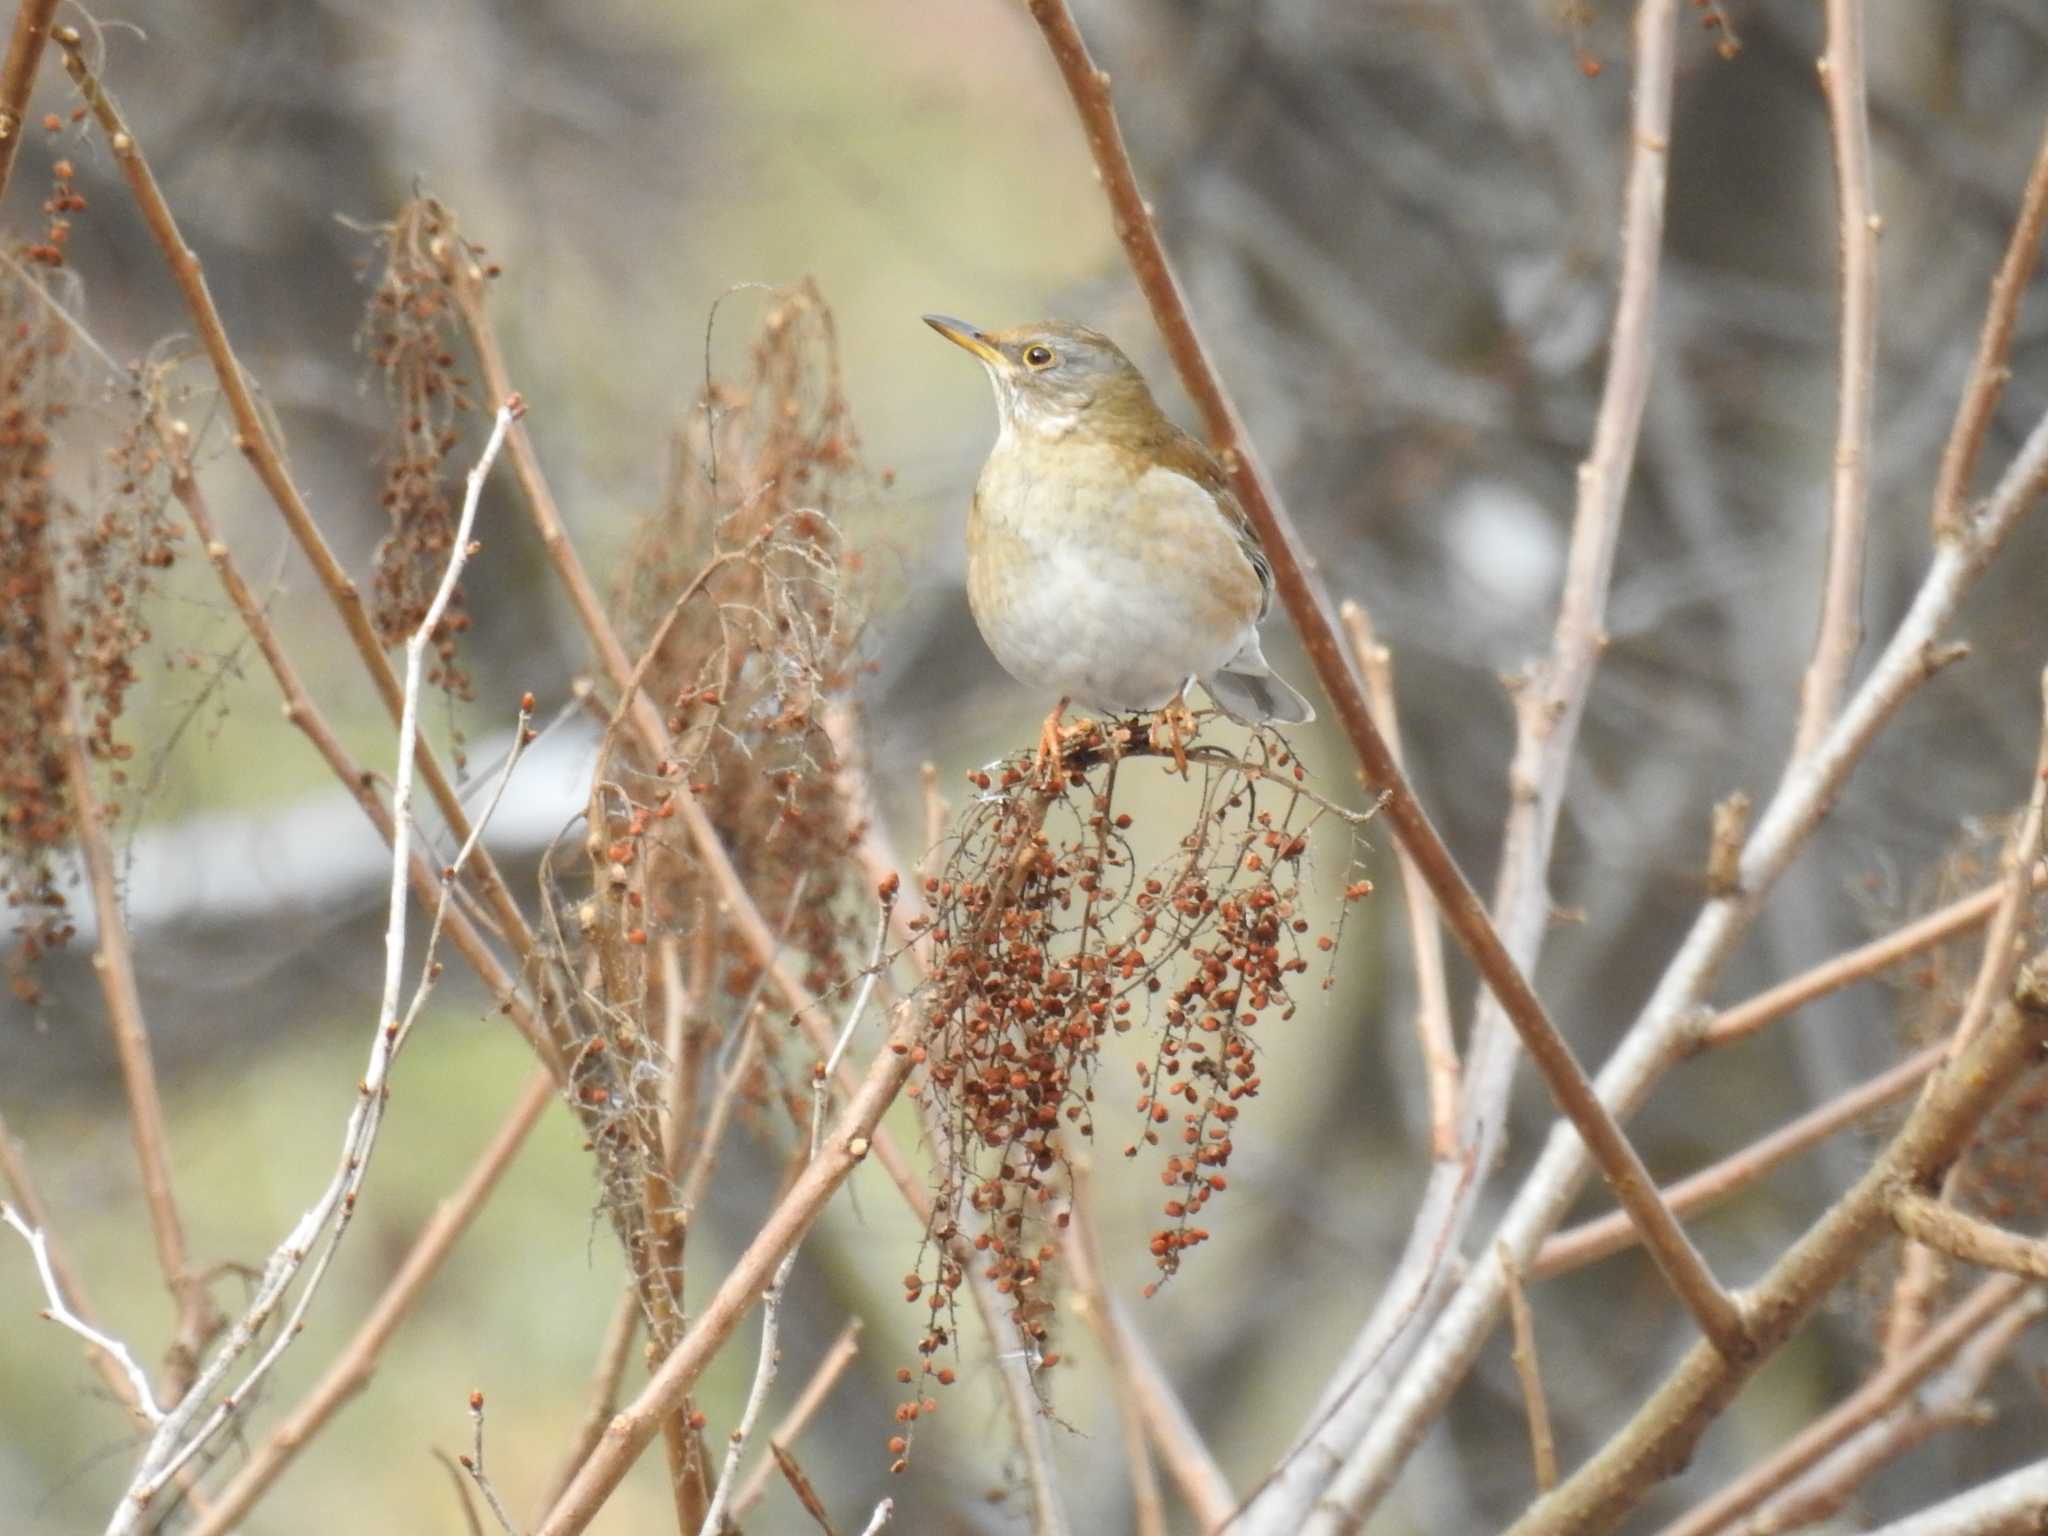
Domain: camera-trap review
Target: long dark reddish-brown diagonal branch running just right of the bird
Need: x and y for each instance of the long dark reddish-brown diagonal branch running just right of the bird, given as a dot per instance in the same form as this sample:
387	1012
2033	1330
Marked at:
1467	916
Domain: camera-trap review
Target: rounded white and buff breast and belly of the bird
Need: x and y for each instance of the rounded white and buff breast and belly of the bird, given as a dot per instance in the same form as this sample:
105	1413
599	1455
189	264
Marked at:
1111	583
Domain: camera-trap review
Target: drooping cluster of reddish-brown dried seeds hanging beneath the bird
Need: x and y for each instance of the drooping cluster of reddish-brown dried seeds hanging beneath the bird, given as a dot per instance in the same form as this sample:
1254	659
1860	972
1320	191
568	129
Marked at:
1048	941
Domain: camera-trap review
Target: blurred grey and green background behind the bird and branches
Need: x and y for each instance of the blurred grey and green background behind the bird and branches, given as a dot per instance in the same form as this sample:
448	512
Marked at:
1396	220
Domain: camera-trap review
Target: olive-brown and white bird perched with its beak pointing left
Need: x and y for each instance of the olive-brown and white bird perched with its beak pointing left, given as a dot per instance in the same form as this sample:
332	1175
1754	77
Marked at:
1107	558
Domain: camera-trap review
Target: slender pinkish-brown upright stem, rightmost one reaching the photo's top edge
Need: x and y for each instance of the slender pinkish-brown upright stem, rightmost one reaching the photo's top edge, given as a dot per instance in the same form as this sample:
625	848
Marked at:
1842	589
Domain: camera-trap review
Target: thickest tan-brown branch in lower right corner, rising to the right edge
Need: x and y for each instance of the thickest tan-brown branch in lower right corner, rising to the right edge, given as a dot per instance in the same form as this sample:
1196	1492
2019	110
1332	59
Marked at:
1670	1422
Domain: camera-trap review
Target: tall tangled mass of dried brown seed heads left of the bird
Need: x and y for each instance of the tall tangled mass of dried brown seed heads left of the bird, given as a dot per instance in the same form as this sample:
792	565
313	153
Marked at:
742	603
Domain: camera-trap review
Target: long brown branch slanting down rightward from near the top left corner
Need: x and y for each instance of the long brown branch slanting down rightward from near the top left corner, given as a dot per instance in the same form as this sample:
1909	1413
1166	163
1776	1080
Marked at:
257	445
